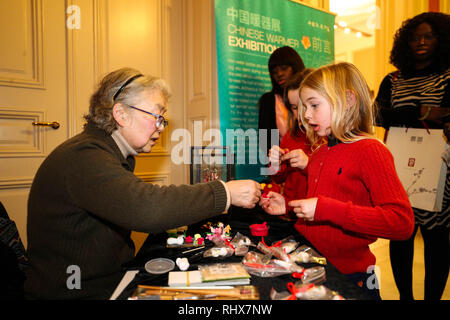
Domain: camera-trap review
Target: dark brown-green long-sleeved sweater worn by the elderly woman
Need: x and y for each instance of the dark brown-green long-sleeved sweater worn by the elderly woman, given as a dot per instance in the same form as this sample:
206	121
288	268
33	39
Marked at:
84	201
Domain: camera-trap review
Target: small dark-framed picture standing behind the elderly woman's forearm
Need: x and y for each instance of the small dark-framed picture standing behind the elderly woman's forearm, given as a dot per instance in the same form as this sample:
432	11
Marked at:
211	163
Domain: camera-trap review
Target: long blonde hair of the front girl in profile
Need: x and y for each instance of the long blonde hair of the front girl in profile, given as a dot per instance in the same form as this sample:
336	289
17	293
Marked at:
348	123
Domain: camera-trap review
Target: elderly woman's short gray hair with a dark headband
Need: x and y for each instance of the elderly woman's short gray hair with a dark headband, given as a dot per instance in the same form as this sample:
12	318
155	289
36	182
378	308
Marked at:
102	101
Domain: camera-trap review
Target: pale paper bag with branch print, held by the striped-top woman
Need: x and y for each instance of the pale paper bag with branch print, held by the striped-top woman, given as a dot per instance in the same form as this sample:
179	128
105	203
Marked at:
418	160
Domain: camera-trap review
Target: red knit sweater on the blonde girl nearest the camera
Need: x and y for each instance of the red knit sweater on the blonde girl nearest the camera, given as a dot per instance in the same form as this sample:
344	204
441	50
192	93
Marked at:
360	198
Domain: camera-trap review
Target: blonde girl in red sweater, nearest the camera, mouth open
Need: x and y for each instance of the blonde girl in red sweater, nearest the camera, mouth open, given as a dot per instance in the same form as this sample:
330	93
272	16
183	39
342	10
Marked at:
354	194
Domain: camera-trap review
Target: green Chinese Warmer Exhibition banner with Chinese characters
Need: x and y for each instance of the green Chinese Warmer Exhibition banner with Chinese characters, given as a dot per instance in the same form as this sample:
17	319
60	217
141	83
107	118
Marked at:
247	32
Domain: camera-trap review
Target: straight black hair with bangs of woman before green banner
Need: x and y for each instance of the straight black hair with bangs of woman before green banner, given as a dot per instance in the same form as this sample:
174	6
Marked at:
284	56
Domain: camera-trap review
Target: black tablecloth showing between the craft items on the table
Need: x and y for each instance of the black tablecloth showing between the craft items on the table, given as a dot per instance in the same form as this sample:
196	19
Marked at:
239	219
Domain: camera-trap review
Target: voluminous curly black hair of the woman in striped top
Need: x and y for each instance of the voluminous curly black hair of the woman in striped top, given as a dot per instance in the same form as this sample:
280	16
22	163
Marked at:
401	54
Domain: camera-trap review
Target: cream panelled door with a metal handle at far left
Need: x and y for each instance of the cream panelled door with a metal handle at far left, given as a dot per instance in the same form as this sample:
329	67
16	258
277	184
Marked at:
33	88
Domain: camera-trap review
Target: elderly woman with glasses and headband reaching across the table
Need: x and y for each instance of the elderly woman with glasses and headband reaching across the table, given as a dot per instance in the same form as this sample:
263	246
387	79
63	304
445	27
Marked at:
85	199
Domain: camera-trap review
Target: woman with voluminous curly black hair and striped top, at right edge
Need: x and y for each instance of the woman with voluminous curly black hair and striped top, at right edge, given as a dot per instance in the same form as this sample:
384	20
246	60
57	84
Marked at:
417	96
